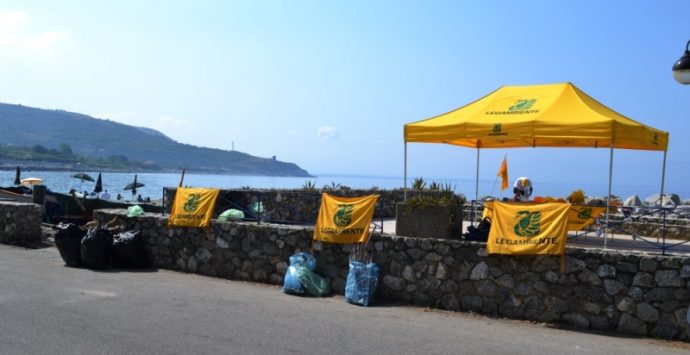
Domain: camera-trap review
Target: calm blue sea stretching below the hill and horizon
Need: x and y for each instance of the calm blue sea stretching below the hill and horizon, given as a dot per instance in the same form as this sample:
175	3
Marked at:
61	181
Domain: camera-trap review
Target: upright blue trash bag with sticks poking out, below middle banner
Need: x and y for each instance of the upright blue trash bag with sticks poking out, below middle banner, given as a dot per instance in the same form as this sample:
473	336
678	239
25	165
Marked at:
361	283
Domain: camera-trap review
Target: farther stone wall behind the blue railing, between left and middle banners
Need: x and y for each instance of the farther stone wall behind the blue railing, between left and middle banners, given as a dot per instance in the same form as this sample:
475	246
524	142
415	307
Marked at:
299	206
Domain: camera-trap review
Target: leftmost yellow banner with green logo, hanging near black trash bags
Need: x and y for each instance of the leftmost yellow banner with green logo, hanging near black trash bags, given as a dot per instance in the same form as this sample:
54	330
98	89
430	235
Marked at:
193	207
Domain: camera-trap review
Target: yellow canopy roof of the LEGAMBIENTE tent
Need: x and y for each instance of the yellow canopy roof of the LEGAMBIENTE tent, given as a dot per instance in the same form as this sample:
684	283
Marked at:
551	115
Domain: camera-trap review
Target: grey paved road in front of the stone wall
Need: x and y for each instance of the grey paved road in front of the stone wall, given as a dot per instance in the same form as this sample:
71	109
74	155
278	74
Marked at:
46	308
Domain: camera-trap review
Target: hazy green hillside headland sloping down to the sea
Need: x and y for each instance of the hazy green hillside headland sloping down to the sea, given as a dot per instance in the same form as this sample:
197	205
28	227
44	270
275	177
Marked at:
107	140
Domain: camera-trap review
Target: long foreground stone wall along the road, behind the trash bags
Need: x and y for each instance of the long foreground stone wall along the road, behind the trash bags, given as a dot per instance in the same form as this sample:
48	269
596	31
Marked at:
628	293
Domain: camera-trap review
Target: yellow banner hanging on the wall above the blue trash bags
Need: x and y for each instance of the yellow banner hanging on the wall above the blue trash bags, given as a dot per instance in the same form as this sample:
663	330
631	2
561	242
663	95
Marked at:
344	220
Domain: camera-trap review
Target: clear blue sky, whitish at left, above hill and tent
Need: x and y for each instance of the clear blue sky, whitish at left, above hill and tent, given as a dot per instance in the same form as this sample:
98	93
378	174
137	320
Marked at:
329	85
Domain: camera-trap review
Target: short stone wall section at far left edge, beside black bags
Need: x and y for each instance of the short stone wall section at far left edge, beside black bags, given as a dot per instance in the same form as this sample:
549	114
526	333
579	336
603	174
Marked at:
20	223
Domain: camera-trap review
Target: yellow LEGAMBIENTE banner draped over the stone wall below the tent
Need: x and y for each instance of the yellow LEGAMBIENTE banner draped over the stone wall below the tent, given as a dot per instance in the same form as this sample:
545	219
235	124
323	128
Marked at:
528	229
